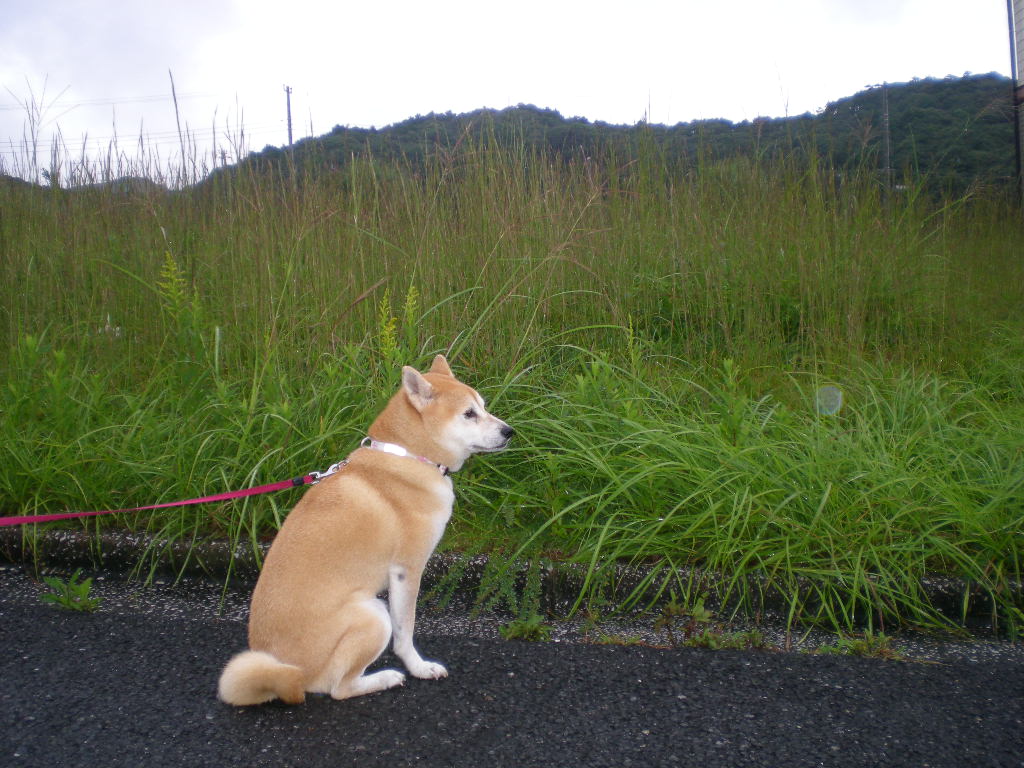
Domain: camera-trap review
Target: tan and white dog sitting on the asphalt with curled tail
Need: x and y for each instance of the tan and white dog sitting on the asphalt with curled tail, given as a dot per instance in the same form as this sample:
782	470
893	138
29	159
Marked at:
316	622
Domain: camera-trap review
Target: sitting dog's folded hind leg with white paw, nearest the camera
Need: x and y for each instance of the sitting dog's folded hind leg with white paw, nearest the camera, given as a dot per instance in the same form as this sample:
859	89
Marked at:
366	635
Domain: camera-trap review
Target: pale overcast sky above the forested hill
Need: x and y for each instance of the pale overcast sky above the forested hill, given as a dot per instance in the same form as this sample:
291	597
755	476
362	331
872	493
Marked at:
101	68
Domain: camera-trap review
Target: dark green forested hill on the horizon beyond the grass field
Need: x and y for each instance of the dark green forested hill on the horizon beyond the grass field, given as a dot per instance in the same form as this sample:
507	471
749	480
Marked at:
950	134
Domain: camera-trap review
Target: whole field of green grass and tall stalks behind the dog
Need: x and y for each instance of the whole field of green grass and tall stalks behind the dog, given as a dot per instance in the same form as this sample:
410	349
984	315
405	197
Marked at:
657	336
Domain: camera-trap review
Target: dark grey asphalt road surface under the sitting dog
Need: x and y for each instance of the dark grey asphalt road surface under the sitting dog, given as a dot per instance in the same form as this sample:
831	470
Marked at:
125	688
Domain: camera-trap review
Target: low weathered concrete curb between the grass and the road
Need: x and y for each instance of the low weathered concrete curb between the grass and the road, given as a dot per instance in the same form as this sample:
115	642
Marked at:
470	581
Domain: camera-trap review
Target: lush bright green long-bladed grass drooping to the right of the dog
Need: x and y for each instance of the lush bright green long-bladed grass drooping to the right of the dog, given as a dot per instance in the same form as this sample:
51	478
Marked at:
843	515
